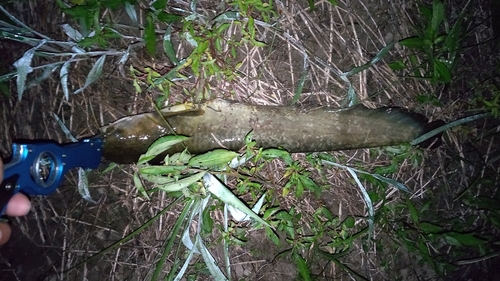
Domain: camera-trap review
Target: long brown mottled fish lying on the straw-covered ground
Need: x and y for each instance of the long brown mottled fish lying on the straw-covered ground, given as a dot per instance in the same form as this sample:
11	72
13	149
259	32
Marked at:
224	124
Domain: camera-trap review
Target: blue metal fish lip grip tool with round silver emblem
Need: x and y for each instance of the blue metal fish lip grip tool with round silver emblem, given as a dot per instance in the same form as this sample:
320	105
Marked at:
38	168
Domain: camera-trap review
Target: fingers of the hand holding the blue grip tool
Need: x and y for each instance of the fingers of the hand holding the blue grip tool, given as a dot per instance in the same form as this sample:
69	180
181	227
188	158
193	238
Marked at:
19	205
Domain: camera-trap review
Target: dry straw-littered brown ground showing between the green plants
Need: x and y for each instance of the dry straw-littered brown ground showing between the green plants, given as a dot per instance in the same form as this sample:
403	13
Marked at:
63	229
